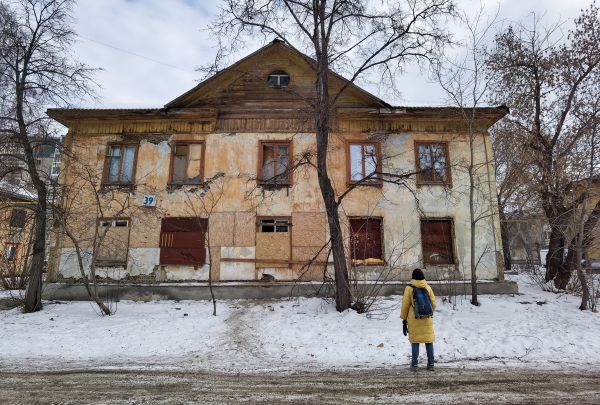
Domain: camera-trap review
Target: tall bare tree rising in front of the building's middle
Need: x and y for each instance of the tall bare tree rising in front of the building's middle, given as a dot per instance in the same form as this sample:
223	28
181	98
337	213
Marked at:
351	36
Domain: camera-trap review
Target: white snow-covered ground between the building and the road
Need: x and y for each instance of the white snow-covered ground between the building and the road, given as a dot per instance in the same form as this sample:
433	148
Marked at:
534	329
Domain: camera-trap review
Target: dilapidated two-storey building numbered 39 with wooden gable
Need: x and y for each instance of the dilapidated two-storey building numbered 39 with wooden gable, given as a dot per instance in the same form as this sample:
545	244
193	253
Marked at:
221	182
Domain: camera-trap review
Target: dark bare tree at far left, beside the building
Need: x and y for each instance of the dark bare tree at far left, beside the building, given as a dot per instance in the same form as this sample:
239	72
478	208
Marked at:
36	69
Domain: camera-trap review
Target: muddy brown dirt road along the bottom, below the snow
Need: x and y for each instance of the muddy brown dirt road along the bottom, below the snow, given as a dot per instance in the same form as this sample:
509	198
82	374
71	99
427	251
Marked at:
360	386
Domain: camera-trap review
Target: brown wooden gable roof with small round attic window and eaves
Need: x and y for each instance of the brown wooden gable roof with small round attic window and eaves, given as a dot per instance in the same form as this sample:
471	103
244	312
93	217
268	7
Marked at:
242	89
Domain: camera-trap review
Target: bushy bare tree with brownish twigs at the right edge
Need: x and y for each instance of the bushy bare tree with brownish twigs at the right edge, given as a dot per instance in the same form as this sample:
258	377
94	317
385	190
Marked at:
545	77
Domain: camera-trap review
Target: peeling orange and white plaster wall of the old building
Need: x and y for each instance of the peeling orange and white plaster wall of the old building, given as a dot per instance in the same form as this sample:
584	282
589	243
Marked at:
232	224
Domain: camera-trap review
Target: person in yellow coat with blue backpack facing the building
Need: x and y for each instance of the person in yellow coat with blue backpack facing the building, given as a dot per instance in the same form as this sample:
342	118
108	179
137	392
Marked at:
418	303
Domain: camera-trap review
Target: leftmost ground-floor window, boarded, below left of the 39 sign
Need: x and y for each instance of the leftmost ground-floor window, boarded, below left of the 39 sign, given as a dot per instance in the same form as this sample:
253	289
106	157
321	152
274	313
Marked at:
112	242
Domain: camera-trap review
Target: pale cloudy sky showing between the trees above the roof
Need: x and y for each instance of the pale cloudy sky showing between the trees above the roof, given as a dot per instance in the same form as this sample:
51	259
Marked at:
149	49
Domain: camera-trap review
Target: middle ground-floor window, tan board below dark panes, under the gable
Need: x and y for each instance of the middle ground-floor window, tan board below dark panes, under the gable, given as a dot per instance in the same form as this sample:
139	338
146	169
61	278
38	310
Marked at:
273	240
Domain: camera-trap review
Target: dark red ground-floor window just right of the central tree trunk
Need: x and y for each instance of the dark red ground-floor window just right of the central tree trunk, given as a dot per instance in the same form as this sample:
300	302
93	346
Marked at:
365	238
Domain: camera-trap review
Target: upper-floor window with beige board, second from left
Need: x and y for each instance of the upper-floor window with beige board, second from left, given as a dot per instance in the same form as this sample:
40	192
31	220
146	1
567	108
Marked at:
187	163
